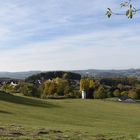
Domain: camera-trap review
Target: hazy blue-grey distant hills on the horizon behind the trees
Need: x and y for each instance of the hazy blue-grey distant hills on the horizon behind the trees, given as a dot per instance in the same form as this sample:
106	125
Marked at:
89	72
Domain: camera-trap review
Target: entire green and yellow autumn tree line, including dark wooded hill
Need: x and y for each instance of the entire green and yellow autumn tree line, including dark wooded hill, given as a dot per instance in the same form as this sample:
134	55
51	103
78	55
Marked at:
71	85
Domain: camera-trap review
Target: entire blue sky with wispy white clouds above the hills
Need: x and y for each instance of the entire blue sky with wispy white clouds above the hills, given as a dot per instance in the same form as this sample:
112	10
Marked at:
67	35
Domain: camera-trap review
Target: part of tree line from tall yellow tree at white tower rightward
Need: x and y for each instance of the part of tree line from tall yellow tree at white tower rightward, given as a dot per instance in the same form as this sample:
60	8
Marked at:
100	88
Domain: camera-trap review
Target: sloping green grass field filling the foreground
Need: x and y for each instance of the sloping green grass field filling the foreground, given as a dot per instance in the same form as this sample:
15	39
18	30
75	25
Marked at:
70	119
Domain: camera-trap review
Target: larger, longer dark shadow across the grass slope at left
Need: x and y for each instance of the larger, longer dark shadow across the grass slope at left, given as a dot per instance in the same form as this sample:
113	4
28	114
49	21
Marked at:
25	101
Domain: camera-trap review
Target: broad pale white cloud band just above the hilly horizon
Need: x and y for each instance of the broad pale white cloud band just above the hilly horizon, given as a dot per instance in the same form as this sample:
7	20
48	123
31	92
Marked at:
114	48
